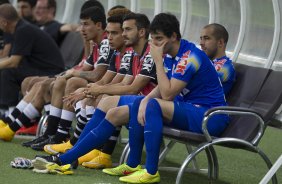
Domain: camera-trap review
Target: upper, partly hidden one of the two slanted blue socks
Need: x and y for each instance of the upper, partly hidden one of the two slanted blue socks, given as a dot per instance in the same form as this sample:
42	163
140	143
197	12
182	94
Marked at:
97	117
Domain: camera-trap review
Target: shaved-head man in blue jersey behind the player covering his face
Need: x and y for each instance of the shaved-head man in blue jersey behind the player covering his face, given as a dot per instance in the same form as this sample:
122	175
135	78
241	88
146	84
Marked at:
213	41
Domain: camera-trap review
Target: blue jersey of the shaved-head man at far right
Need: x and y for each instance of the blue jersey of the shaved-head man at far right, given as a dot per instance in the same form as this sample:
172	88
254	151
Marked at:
226	72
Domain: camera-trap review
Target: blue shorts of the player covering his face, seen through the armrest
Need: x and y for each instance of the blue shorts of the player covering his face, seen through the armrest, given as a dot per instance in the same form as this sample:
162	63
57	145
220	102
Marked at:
189	117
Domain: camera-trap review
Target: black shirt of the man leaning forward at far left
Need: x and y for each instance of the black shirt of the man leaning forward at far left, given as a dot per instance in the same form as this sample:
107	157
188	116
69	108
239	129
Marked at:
38	49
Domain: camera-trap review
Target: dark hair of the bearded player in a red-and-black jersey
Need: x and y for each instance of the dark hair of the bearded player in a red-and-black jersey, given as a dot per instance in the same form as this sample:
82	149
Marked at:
141	20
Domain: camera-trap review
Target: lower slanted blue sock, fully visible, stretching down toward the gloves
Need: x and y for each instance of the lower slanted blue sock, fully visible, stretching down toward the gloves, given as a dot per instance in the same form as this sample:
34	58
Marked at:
92	140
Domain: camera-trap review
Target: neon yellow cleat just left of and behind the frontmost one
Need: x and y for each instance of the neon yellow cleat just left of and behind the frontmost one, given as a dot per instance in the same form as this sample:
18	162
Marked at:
122	170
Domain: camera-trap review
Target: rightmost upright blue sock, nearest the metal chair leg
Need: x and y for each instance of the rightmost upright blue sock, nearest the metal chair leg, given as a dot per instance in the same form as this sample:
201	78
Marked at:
153	135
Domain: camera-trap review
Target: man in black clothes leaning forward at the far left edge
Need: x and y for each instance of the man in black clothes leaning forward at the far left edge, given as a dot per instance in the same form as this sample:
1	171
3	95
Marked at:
33	53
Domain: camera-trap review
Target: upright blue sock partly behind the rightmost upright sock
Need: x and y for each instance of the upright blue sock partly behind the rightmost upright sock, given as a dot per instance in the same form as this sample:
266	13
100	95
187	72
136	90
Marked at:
136	136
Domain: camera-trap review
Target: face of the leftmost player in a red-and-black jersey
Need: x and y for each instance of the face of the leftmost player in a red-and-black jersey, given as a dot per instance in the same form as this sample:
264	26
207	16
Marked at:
88	29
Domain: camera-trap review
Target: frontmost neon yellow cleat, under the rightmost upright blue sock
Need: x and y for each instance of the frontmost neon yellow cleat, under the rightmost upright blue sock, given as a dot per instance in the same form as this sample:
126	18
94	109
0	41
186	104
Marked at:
141	176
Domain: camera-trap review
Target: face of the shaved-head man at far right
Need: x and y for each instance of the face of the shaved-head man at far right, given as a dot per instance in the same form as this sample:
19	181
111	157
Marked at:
209	44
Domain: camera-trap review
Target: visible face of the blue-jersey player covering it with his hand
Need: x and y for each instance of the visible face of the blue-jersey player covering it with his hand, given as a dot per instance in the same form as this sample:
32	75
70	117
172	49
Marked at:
159	39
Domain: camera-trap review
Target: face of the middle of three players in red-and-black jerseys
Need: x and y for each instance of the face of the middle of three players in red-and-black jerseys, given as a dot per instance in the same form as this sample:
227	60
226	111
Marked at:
114	33
